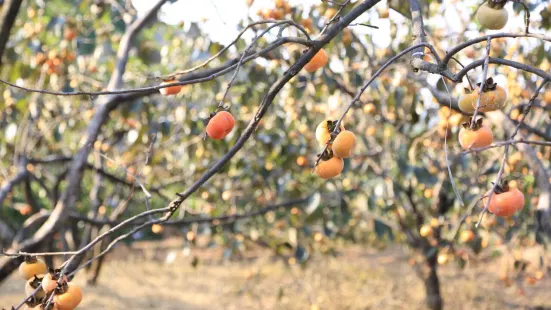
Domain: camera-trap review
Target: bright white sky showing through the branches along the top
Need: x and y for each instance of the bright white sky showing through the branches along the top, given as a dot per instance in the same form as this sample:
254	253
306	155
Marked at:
219	18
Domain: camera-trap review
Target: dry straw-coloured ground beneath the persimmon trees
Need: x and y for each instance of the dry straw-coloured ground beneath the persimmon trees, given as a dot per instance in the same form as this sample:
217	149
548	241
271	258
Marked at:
357	279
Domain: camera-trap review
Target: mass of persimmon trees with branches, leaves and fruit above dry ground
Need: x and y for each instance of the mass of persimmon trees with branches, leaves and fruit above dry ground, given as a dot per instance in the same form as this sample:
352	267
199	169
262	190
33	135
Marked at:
112	123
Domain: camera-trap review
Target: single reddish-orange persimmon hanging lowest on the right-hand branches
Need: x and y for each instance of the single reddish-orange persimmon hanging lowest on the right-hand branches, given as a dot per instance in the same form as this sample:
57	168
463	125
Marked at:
505	201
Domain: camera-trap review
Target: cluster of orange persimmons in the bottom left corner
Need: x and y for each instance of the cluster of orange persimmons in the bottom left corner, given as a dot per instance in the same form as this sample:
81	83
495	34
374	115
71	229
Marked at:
49	289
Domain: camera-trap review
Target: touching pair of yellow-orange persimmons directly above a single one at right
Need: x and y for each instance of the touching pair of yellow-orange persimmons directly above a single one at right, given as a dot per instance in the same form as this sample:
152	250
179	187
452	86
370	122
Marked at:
493	98
